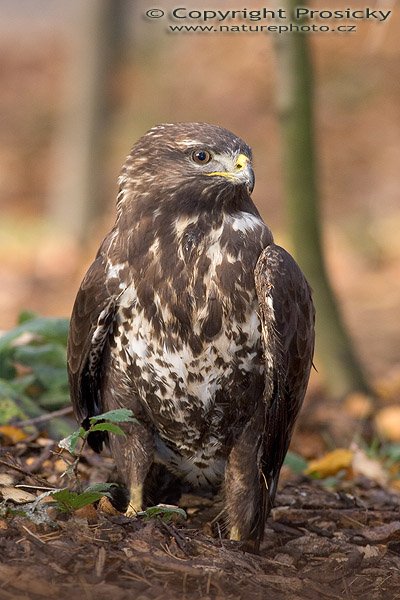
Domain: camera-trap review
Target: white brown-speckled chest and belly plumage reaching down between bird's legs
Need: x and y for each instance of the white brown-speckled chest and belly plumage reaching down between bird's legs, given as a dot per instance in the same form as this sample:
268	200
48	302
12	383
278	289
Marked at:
185	386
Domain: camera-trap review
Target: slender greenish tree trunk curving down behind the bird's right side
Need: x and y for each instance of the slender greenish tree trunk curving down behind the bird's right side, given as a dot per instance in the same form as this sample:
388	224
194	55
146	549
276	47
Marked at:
342	370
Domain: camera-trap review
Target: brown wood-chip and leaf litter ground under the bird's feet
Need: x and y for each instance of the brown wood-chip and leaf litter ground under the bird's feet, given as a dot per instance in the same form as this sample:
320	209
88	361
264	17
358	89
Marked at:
318	543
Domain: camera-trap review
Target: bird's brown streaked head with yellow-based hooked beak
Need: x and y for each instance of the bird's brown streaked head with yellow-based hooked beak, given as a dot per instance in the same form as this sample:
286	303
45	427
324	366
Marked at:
195	159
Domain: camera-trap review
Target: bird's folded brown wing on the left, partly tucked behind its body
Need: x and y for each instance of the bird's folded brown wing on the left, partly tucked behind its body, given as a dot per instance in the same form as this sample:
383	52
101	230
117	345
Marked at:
92	317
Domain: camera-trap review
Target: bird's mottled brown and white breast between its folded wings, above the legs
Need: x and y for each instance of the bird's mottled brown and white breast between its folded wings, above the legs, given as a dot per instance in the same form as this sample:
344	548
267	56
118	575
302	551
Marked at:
191	335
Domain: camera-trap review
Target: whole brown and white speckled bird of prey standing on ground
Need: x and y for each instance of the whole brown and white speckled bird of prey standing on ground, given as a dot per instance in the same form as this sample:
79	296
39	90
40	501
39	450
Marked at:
192	316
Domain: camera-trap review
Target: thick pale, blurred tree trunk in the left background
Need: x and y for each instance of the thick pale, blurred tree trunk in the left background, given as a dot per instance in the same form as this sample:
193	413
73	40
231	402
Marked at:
77	187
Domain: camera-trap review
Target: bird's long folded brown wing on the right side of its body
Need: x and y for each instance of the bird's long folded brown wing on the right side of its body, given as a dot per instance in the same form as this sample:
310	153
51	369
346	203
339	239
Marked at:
287	319
